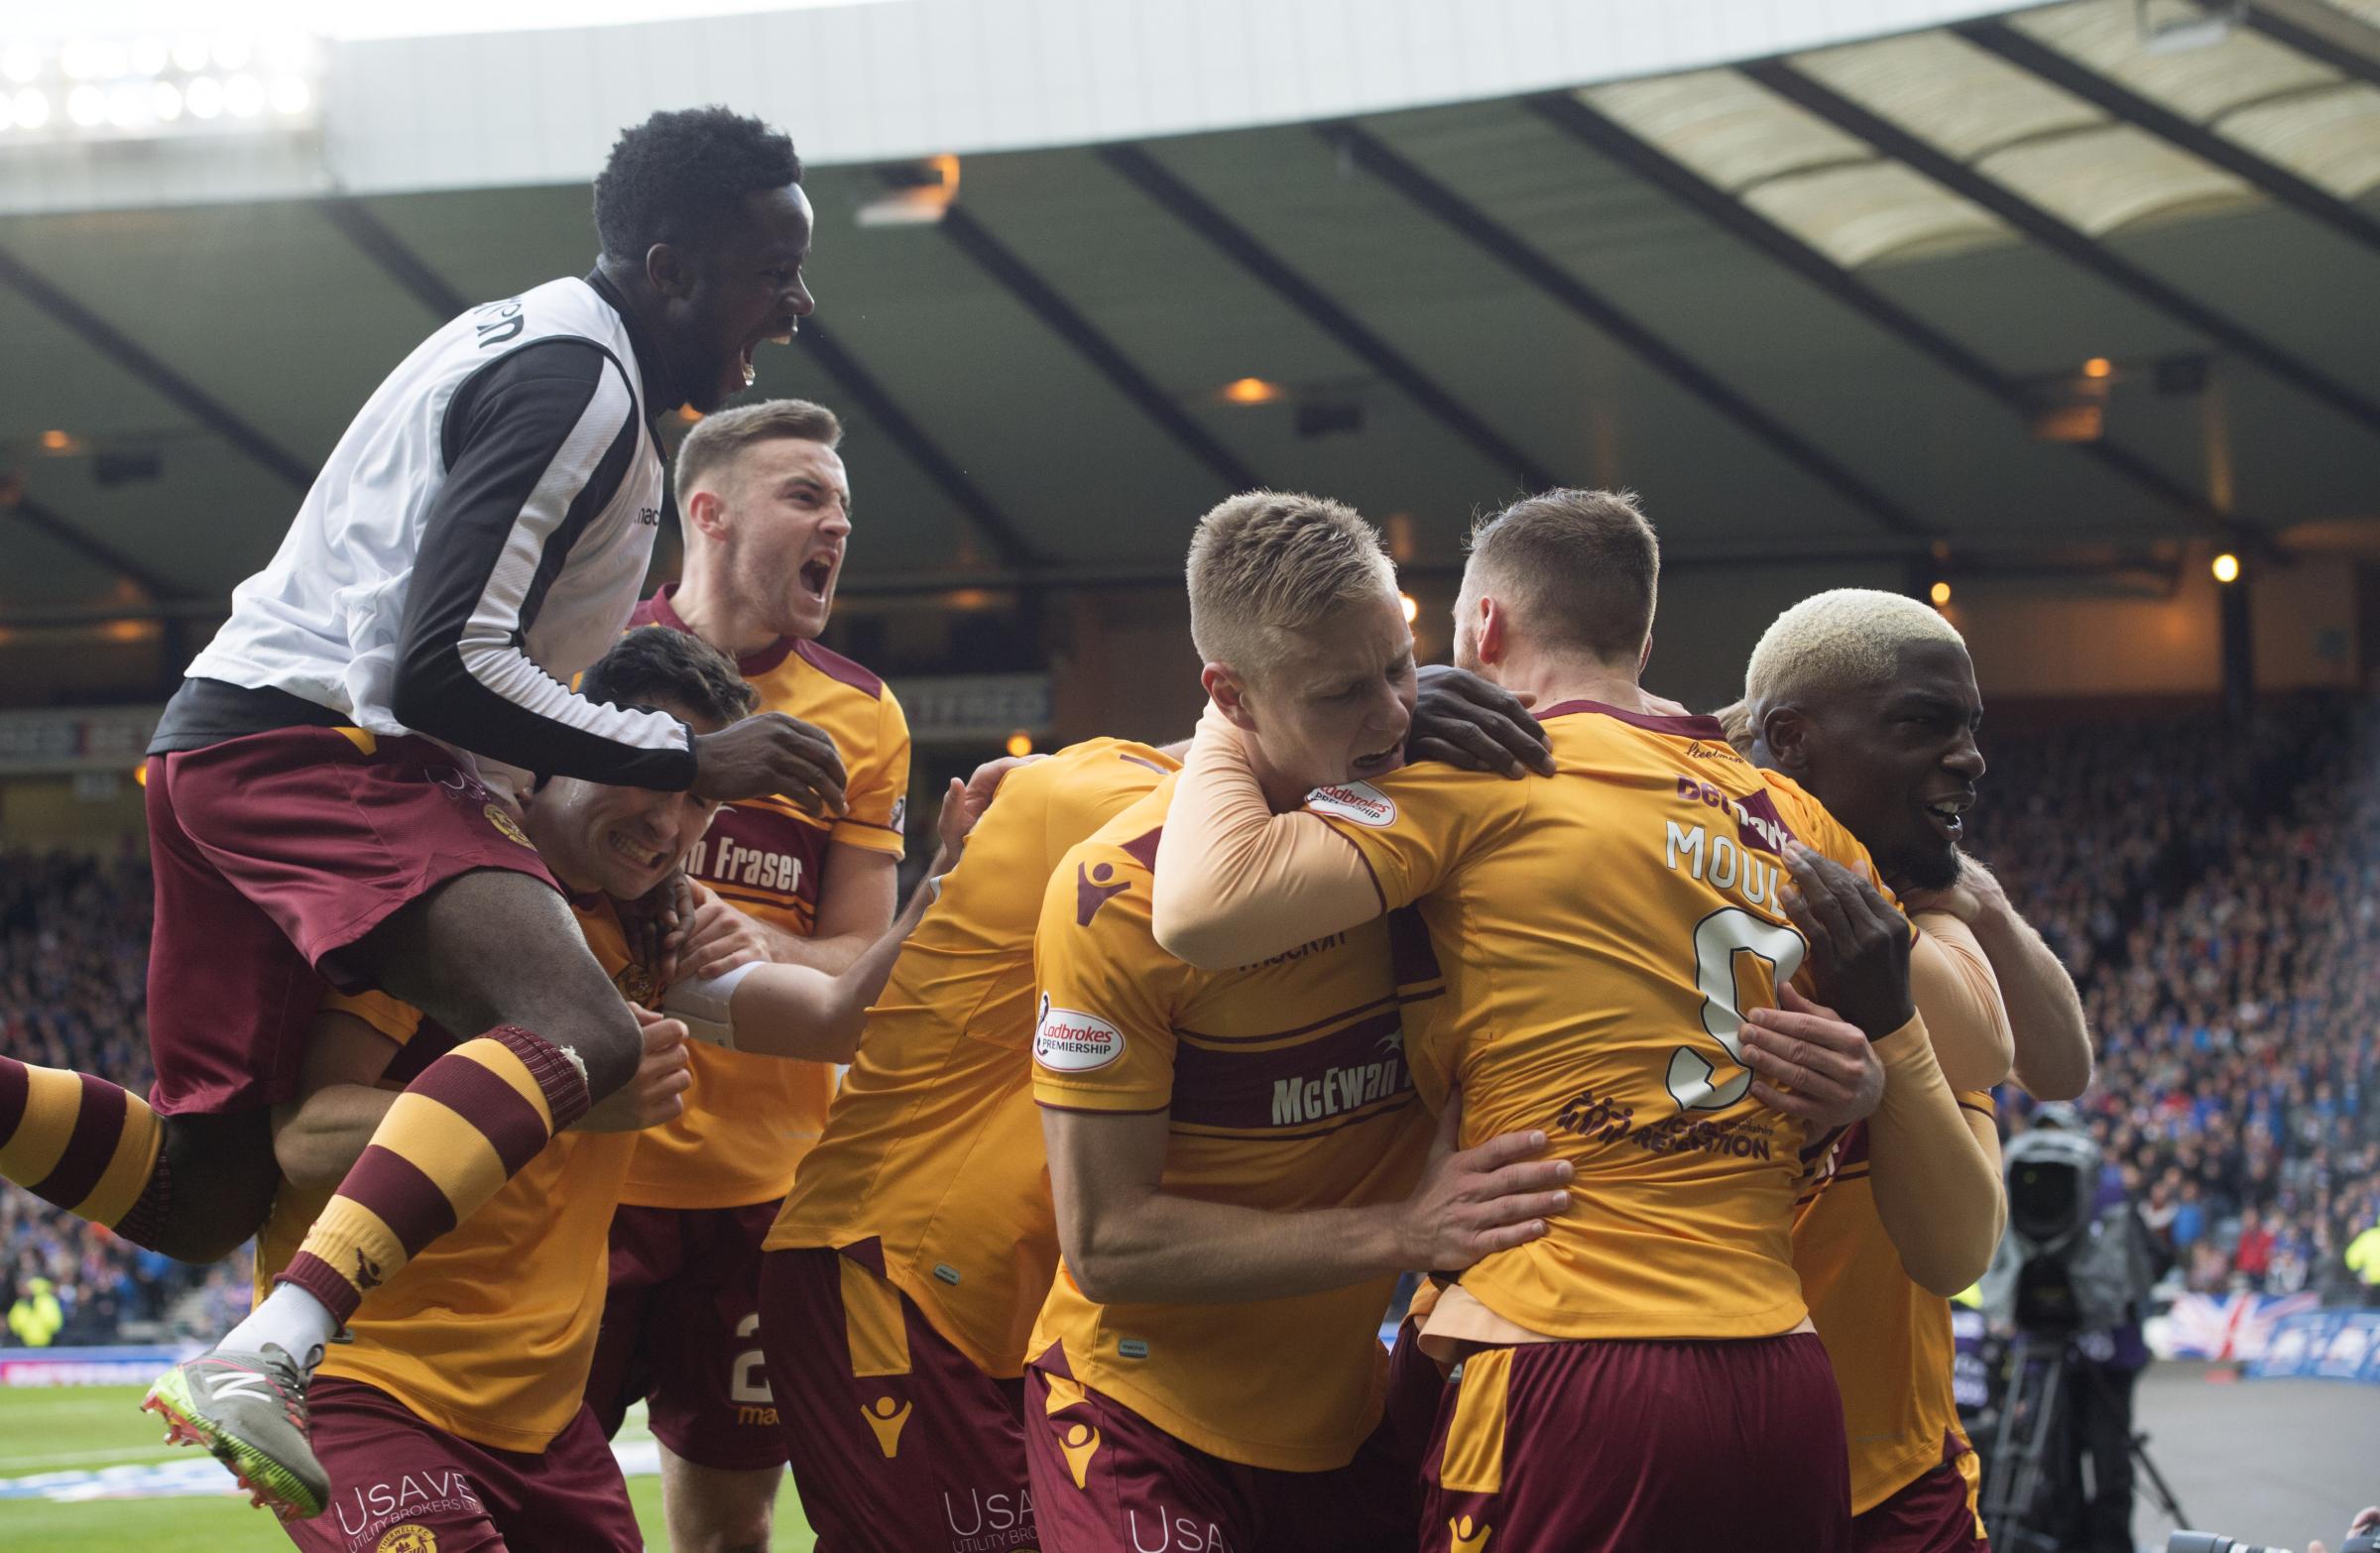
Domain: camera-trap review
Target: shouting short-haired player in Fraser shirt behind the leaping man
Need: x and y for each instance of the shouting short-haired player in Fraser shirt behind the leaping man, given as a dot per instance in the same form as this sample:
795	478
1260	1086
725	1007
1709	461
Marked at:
768	513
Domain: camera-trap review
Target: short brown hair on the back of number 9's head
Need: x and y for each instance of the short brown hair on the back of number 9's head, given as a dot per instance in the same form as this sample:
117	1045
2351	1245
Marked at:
1582	570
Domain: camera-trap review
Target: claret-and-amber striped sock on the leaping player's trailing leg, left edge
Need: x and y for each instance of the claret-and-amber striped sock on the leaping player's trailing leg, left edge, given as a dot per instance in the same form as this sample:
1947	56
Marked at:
82	1145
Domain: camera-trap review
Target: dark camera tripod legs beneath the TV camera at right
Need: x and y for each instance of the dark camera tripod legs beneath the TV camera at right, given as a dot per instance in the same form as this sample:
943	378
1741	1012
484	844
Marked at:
2034	1445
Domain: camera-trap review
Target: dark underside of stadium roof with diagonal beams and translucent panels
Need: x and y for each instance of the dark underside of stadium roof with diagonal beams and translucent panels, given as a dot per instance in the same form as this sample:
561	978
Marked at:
2065	285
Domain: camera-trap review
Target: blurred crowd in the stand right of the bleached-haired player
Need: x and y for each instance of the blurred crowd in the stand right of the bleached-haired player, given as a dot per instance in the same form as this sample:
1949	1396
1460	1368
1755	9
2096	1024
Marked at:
2219	904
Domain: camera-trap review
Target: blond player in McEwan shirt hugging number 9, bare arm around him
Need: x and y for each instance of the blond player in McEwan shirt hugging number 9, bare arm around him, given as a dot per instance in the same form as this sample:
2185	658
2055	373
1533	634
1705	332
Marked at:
1239	1159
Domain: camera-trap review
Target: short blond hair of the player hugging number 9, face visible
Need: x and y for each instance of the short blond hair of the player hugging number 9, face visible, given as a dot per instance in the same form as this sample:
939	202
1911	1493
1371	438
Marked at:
1277	561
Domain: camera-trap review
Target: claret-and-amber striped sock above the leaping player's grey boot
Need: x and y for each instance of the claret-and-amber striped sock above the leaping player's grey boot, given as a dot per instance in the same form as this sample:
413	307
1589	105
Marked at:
446	1147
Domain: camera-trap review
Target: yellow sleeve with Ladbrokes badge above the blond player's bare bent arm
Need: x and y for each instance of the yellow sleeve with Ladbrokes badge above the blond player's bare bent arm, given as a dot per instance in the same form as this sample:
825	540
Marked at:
1103	1035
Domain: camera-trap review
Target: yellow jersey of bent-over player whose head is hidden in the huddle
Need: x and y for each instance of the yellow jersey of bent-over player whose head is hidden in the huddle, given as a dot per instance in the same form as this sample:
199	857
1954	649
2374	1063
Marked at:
932	1159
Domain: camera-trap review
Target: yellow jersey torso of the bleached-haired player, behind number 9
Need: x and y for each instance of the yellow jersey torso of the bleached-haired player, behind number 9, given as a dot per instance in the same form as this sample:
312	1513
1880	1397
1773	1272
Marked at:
1891	1340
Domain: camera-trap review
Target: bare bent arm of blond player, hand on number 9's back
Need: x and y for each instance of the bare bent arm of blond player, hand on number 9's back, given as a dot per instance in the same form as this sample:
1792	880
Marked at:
1129	1242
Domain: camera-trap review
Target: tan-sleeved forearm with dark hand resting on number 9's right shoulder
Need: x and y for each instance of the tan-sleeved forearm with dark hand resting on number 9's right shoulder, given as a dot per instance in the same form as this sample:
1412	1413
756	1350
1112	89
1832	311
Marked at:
1936	1168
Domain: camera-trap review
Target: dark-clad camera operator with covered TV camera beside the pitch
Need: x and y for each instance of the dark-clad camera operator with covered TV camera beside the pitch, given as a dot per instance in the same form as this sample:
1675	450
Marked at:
2077	1271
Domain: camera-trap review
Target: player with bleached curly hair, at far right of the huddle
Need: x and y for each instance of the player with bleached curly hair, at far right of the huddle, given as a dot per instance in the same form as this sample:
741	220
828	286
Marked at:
1869	701
